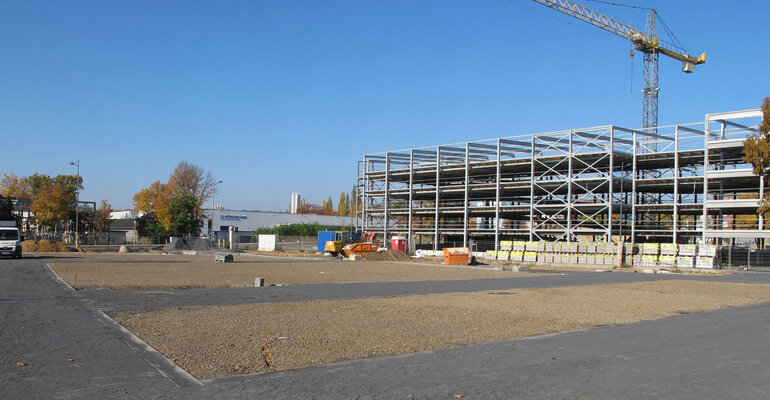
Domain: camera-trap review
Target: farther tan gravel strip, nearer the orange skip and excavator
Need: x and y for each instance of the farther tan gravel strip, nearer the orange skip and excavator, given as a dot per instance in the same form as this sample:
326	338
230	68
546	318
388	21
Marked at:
196	272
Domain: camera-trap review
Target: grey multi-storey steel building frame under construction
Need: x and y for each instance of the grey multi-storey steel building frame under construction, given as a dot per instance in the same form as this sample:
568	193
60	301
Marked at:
680	184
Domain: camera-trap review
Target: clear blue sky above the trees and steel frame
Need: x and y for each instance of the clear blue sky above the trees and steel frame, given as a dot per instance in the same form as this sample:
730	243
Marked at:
275	97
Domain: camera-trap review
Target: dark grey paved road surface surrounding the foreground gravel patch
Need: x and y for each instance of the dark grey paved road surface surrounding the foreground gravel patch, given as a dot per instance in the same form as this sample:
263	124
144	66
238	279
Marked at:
70	350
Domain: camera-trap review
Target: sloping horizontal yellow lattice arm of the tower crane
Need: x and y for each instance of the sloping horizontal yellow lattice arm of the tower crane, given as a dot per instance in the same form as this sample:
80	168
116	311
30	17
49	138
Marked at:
641	40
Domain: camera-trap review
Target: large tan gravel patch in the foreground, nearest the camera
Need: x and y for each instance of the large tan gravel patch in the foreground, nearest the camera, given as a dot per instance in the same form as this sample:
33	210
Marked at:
215	342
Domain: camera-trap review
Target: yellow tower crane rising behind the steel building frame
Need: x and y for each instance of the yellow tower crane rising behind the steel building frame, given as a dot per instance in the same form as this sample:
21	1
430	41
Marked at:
646	42
